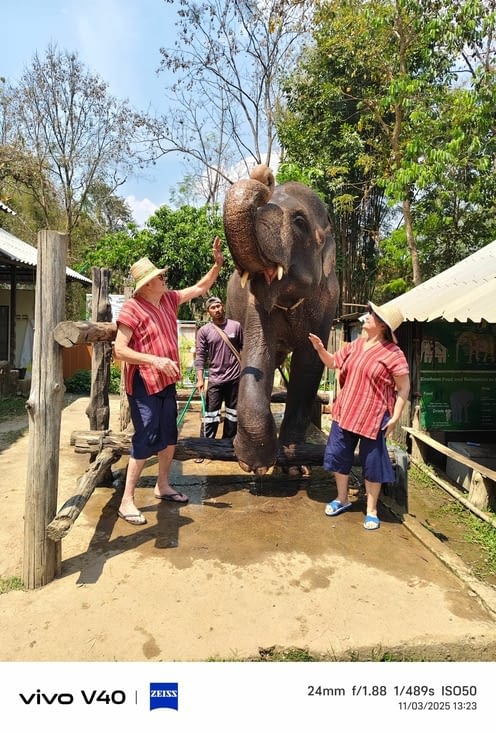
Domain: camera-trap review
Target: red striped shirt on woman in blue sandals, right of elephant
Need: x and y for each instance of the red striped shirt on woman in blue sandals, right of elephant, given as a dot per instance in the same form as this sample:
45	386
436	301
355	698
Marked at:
368	390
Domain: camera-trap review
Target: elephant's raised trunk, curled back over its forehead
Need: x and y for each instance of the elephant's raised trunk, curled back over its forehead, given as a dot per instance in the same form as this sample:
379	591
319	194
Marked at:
240	206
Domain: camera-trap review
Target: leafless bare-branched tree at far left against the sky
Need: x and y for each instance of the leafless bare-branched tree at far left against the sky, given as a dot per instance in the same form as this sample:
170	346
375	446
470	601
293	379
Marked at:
67	143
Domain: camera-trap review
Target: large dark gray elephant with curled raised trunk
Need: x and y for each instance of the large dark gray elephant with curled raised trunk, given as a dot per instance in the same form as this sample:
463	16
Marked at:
278	232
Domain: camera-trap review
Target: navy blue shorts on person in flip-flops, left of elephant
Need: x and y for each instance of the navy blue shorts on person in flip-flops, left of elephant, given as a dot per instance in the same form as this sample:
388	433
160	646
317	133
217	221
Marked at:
154	419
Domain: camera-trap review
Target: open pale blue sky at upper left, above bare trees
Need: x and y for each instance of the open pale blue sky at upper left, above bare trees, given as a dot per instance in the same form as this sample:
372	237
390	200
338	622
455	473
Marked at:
119	40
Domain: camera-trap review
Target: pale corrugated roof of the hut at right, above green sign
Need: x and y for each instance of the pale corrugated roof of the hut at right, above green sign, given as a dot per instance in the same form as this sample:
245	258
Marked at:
464	292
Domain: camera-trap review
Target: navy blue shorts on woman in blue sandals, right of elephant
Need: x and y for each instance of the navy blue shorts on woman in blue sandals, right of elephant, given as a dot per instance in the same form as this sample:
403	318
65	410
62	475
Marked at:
373	453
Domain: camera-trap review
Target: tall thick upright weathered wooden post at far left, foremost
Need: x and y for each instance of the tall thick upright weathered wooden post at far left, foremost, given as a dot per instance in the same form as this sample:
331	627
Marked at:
42	555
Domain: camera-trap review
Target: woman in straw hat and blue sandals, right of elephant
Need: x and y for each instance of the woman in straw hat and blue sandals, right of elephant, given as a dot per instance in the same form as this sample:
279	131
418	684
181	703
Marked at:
375	385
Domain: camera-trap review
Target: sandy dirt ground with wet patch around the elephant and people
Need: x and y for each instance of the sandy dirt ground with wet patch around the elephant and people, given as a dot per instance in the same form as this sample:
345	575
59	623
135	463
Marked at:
247	567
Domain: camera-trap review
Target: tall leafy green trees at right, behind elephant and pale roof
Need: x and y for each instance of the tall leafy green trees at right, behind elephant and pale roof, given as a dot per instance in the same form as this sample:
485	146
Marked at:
394	103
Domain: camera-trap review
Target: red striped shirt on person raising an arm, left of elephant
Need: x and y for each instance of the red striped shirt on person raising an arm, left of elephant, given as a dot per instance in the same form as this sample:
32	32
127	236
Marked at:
154	332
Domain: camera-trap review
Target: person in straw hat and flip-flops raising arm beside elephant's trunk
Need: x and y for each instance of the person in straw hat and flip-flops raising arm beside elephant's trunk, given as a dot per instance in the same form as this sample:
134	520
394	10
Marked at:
147	343
